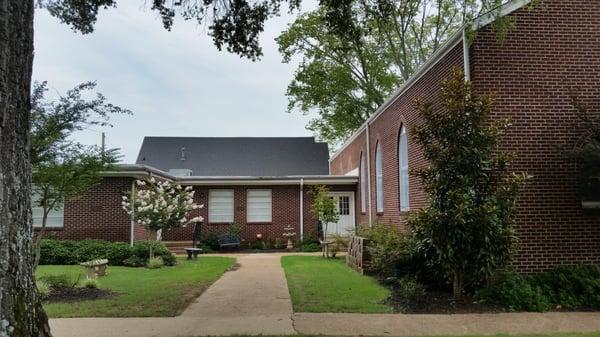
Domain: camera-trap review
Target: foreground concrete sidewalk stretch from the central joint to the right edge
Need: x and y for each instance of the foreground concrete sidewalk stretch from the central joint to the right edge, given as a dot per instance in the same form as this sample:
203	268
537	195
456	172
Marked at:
436	325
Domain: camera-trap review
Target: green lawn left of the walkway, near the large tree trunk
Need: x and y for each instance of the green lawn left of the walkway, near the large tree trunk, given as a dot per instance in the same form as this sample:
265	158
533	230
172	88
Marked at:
144	292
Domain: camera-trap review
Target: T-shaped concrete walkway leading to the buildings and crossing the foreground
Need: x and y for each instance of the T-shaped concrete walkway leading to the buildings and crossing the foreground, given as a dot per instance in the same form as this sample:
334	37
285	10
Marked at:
254	299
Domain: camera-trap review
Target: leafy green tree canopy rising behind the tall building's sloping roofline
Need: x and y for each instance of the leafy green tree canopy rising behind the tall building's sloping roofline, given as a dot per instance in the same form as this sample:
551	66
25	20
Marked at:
354	53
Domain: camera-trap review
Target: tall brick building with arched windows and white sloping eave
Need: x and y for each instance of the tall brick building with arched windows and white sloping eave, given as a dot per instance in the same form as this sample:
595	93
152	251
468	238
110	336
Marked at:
552	50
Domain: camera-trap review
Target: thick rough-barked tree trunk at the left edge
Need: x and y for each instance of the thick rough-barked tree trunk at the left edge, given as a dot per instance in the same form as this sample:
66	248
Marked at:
21	312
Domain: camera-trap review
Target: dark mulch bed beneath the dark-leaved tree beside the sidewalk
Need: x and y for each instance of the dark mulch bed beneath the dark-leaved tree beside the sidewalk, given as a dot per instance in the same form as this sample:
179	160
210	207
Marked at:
440	303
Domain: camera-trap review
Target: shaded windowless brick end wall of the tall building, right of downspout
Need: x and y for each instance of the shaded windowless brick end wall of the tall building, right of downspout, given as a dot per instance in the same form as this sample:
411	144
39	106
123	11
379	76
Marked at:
555	48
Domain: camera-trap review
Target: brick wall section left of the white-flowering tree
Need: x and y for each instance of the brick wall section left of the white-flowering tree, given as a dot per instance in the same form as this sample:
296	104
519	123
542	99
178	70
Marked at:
97	214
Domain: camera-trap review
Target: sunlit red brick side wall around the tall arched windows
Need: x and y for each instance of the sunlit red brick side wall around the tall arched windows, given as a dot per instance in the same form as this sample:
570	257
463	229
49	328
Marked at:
386	130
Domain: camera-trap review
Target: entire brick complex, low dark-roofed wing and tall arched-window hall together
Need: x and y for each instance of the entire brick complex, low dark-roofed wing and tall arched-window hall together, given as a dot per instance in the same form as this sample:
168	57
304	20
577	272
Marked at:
552	50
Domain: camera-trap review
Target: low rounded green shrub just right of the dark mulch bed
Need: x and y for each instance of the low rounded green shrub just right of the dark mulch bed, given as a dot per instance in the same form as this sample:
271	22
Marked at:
514	292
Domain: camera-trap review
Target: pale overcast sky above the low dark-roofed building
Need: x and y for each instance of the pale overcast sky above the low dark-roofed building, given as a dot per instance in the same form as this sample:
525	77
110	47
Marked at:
176	83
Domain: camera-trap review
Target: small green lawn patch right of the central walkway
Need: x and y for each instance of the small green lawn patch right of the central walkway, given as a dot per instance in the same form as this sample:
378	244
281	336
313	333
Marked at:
328	285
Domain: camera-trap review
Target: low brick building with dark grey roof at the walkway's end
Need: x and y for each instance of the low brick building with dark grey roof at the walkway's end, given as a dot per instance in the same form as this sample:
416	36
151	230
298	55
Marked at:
262	184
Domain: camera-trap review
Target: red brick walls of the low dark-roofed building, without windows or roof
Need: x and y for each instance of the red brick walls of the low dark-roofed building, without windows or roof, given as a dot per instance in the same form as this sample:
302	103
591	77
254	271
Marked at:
98	214
